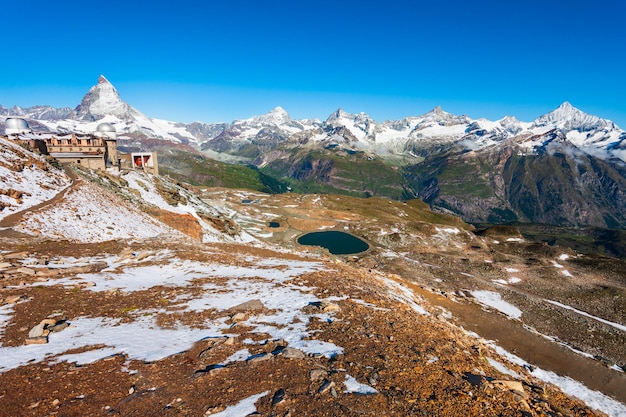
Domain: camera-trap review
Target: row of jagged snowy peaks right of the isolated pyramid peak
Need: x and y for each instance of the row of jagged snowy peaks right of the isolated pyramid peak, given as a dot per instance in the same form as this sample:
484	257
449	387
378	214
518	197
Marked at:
590	134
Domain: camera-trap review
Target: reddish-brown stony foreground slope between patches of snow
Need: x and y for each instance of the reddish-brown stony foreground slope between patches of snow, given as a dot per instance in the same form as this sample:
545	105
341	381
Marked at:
394	359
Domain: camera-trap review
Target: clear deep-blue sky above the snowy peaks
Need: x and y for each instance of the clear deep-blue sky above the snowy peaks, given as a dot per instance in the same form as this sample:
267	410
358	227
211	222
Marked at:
222	60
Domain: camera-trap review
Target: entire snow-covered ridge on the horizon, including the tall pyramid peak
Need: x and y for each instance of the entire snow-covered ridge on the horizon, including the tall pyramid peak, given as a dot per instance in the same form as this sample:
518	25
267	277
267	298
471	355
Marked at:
591	134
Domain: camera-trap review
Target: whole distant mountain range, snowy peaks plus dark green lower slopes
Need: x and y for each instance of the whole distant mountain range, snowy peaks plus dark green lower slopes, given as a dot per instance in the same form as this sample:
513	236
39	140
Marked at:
564	168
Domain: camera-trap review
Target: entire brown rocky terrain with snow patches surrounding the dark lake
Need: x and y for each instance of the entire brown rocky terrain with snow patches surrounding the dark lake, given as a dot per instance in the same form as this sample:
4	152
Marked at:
149	317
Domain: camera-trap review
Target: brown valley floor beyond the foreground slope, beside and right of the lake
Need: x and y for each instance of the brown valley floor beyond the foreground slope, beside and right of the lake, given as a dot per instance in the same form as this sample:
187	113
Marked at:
454	264
